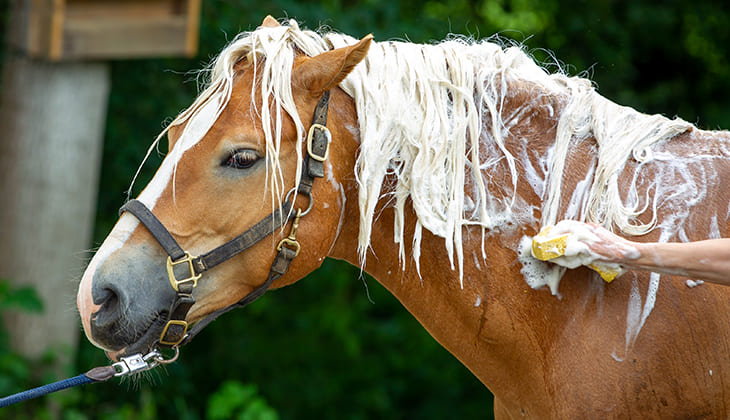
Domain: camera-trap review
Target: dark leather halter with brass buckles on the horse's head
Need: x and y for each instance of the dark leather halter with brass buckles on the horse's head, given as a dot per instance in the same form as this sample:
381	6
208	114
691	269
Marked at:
175	332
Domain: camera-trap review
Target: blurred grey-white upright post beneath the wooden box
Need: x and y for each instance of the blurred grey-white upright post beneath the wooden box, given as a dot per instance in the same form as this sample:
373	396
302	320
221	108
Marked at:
52	117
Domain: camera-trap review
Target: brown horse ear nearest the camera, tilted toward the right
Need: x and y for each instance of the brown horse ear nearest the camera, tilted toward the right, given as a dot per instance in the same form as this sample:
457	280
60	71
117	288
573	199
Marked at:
325	71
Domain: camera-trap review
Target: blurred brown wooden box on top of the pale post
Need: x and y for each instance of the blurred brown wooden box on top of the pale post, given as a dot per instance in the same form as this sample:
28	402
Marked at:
109	29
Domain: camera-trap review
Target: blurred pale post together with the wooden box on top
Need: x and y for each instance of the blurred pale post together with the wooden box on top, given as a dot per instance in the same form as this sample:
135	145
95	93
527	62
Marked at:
52	114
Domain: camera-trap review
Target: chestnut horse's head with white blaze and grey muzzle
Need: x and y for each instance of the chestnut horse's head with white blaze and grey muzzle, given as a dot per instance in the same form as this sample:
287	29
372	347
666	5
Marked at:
227	170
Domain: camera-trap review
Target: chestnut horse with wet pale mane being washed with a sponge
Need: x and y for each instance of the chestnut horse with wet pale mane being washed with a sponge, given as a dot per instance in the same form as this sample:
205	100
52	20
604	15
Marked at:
431	167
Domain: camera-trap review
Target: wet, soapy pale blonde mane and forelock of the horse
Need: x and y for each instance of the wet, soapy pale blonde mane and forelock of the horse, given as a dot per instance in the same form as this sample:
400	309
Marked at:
421	112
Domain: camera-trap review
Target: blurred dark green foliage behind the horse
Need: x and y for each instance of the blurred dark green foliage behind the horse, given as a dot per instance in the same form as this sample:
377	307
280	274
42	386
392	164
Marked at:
337	345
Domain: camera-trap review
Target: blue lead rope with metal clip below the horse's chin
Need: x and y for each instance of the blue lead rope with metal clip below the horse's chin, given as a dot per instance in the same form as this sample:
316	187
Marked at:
125	366
